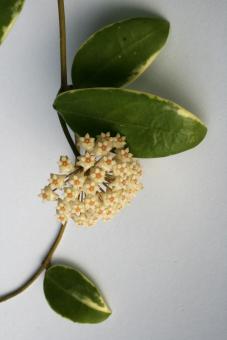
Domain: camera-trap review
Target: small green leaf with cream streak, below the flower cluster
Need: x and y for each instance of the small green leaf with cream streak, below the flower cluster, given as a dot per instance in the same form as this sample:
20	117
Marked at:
71	294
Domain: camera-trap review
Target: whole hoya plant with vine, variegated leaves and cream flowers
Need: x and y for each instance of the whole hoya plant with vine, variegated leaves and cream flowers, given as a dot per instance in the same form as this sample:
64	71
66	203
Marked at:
109	128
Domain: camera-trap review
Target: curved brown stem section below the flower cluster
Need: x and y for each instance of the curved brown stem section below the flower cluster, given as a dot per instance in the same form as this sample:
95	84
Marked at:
43	266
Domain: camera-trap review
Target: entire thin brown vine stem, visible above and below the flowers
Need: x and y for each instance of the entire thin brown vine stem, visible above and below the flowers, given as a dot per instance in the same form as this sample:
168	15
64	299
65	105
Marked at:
46	262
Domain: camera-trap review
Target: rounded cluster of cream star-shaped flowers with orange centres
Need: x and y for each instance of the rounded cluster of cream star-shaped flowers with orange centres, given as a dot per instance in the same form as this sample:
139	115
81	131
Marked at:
104	178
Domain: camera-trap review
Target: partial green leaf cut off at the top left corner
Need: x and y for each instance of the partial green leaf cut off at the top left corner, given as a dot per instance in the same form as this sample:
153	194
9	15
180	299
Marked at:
9	10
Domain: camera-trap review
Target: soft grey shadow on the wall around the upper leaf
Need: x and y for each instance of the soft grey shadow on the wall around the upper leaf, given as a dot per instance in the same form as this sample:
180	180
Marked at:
160	78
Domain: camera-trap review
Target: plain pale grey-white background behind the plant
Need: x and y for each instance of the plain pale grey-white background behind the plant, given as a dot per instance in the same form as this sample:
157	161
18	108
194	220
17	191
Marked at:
161	264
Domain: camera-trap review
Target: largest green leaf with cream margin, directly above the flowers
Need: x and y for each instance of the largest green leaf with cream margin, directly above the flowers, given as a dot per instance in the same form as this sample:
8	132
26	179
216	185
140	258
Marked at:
154	127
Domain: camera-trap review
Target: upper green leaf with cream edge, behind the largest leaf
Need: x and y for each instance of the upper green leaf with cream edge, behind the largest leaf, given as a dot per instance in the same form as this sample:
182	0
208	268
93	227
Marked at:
119	53
